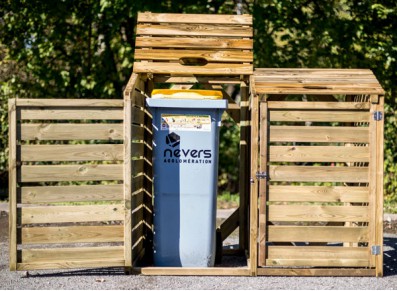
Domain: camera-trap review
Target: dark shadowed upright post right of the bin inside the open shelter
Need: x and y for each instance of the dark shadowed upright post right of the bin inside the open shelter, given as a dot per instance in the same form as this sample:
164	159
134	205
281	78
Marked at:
244	162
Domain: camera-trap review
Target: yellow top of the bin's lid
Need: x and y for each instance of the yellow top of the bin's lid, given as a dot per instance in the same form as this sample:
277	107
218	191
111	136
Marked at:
187	94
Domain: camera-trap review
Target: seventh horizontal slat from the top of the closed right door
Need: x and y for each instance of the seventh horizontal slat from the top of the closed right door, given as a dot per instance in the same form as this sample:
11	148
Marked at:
318	213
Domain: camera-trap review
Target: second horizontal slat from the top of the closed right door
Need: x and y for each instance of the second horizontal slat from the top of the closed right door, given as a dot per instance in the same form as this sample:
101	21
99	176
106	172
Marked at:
319	116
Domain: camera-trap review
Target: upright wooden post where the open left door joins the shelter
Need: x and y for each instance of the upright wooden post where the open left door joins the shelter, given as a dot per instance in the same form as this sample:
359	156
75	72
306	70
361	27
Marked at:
127	173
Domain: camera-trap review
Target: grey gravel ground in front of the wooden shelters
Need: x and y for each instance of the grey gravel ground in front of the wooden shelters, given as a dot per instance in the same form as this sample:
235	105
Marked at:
114	278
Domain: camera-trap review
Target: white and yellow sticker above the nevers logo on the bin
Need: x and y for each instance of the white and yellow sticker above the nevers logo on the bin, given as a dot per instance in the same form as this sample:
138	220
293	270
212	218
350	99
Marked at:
173	122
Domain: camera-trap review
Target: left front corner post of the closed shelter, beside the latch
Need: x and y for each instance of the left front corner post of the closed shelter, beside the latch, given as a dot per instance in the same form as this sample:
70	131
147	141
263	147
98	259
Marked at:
253	246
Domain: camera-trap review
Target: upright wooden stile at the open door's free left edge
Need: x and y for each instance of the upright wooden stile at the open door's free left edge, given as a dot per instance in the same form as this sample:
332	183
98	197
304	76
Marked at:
12	182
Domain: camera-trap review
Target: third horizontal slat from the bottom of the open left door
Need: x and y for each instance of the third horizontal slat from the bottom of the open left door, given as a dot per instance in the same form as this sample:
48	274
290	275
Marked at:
62	214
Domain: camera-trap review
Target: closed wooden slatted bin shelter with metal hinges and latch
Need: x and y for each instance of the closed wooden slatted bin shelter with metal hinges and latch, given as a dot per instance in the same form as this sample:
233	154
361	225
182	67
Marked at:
317	168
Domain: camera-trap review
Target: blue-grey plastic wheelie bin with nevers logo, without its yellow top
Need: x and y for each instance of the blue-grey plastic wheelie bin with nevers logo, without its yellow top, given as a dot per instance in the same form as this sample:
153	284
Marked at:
185	158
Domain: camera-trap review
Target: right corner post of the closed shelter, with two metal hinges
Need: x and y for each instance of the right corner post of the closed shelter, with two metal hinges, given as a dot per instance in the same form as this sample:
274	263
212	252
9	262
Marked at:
379	188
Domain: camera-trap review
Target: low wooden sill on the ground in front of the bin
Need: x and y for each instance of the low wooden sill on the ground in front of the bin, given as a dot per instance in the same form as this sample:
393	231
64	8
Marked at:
190	271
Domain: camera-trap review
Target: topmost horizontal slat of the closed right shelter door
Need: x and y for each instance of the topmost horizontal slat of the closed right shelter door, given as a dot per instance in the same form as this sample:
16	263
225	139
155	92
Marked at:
318	105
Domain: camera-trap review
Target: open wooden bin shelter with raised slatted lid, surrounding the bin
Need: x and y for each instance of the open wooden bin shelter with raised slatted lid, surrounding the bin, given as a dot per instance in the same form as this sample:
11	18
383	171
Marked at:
183	51
